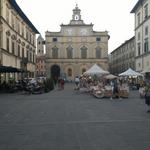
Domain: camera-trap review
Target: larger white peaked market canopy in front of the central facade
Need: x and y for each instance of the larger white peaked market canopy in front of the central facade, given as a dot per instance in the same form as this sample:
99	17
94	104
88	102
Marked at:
96	70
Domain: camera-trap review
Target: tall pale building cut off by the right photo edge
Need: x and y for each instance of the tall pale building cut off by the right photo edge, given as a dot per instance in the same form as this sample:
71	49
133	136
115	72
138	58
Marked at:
142	34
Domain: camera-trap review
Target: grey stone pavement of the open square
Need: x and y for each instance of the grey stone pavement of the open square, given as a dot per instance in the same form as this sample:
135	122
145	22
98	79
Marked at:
68	120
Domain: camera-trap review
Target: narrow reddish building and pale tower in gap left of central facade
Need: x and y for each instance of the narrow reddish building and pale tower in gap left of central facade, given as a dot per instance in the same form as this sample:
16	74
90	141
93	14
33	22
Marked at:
40	58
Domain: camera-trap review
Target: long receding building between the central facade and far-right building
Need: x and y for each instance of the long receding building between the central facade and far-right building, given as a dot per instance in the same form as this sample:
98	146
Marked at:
123	57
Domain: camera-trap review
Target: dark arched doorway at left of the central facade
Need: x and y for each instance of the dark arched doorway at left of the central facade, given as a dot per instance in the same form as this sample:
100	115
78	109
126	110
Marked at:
55	72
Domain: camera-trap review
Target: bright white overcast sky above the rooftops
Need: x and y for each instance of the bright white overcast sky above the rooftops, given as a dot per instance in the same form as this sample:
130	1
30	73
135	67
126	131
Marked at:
107	15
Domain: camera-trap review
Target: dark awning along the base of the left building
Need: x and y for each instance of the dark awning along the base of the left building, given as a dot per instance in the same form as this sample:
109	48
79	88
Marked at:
9	69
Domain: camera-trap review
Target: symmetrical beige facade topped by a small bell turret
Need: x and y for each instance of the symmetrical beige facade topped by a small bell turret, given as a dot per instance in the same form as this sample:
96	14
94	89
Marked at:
75	48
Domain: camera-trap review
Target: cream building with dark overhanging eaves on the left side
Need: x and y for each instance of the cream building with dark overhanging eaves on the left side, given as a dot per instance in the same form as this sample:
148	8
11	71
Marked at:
17	39
